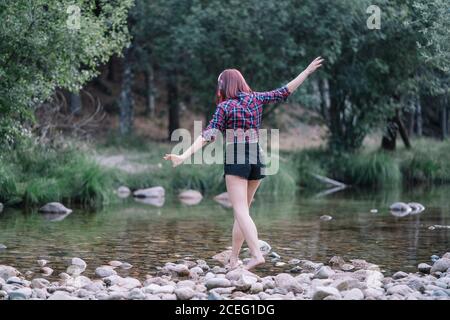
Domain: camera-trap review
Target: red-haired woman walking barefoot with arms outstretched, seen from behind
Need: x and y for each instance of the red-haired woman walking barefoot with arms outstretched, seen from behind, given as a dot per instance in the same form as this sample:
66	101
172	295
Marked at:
240	110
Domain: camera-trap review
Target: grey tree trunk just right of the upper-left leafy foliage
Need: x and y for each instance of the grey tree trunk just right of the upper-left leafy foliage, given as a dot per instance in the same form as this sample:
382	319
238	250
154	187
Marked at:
126	96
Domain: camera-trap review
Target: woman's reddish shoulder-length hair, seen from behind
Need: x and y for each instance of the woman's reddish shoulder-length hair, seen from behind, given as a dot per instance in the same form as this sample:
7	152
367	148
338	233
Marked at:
230	83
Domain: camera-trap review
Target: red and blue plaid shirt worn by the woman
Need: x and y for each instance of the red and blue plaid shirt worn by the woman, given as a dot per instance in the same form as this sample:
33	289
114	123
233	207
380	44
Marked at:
240	118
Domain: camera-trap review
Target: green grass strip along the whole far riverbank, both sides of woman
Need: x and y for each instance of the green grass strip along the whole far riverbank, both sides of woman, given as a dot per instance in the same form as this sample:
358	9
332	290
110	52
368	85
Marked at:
32	175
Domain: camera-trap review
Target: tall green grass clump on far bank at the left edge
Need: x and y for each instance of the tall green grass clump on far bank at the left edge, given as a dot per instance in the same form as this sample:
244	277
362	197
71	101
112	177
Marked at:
32	175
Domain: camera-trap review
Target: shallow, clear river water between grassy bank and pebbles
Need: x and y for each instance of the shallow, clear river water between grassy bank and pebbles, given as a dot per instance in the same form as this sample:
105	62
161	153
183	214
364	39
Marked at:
148	236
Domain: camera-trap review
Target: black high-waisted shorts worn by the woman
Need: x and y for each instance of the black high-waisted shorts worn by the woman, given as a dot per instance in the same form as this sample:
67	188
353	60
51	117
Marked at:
244	160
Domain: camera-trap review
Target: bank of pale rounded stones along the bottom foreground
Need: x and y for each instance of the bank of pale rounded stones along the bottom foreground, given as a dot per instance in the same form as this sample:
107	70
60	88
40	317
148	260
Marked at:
196	280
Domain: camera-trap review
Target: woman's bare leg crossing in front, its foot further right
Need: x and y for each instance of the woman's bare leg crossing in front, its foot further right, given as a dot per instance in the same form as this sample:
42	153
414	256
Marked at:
237	191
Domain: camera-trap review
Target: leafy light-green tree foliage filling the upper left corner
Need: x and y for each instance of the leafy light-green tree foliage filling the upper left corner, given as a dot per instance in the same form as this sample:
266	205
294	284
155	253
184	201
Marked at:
46	45
